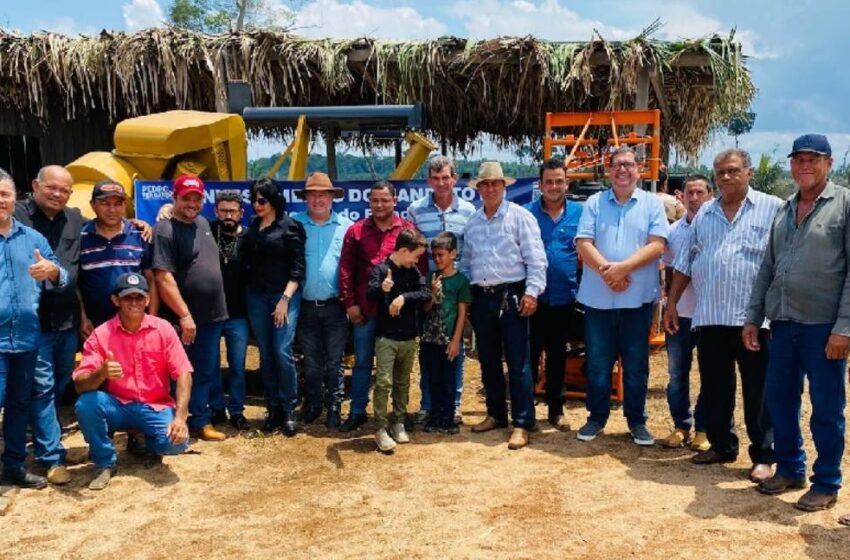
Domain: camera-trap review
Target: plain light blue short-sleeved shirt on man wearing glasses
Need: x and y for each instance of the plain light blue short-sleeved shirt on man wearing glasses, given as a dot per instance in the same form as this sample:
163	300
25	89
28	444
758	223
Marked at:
618	231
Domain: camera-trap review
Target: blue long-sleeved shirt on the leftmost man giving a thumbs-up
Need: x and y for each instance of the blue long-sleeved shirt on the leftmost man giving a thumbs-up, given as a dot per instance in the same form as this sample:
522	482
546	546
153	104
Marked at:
19	293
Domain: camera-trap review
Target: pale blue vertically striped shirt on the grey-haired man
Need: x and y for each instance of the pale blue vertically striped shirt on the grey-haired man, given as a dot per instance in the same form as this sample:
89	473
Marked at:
723	258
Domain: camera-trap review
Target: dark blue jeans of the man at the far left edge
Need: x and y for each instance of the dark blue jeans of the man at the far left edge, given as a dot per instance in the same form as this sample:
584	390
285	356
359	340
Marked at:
16	382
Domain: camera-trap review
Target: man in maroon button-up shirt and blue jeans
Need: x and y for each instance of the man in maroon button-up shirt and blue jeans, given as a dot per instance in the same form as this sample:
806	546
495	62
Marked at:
366	243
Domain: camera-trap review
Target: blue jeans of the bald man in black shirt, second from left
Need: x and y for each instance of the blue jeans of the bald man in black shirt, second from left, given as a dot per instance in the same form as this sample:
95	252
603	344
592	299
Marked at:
56	352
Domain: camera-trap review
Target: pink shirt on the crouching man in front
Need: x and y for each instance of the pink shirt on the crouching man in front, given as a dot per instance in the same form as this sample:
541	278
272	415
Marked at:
150	357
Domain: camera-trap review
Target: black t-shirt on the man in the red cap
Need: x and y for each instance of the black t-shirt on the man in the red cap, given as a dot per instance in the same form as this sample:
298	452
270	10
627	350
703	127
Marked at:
189	252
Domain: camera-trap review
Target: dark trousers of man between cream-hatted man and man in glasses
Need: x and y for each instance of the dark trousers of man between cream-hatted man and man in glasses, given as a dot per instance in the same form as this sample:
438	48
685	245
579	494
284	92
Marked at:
550	329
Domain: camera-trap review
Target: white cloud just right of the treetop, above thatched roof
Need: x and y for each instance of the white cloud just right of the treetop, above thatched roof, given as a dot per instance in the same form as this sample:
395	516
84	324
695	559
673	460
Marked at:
331	18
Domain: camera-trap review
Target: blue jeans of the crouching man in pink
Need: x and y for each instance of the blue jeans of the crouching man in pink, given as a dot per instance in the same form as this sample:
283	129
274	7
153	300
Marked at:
100	413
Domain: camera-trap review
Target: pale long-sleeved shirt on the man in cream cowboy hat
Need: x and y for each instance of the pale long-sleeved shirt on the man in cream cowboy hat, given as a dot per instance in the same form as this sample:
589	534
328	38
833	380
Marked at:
504	249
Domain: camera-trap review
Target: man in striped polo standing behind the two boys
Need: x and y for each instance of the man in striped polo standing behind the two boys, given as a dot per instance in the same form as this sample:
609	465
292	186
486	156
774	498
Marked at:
440	211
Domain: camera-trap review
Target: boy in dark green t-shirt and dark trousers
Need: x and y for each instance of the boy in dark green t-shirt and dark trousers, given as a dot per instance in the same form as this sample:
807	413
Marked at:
442	335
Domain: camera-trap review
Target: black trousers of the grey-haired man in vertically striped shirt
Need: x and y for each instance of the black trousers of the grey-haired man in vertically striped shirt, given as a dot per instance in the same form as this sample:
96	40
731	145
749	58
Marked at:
720	348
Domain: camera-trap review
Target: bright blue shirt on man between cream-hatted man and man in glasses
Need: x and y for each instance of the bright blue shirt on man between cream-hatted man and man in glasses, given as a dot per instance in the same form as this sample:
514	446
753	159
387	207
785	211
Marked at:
560	244
